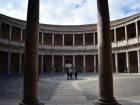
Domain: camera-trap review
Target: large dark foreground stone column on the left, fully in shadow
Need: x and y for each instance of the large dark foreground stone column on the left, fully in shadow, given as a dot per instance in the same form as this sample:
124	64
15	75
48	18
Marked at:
31	55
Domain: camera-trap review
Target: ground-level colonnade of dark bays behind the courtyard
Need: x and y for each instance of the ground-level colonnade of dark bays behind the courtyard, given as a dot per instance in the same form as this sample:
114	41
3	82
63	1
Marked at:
123	62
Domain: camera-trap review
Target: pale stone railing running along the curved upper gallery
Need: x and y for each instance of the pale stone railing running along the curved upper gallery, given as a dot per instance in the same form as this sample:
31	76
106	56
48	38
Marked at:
72	48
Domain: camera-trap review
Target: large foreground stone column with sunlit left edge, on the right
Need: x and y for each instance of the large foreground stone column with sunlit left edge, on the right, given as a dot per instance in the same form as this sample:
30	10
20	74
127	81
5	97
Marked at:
106	96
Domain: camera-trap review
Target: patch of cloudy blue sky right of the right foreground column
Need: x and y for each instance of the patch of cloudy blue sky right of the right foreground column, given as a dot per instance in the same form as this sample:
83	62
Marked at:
123	8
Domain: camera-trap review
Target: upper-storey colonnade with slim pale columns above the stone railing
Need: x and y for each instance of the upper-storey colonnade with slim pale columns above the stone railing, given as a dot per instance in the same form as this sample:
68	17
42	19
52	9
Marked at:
17	34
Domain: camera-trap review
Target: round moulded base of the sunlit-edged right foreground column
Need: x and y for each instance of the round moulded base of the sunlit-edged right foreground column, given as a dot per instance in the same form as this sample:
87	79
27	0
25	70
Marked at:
106	102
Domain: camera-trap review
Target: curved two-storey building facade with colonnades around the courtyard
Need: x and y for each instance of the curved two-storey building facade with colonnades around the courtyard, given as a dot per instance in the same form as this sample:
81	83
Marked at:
75	44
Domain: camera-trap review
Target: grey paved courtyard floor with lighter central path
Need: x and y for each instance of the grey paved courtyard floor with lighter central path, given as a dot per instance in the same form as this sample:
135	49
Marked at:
55	89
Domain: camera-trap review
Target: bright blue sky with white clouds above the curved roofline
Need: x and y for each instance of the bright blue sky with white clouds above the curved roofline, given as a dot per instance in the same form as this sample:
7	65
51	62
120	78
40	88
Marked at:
69	12
